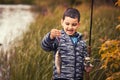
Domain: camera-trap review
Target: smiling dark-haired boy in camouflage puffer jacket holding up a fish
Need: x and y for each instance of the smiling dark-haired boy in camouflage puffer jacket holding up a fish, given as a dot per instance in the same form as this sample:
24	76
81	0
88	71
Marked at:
69	47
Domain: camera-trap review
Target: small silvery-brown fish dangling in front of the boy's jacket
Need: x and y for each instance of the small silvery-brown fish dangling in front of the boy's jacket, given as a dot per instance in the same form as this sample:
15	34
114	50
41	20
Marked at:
58	62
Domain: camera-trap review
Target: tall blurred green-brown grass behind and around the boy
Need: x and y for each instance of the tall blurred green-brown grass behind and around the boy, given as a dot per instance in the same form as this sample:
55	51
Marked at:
29	62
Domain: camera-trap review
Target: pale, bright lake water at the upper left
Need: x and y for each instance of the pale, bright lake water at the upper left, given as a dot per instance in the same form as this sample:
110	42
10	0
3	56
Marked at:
14	20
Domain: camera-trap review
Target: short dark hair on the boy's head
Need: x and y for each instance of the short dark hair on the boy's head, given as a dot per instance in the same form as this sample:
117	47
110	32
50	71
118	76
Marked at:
72	12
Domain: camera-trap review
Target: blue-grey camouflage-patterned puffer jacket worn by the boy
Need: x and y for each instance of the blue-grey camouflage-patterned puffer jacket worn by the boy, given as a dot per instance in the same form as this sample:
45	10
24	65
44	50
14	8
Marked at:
72	55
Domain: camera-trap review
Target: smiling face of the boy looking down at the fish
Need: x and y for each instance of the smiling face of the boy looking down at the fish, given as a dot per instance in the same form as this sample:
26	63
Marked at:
70	25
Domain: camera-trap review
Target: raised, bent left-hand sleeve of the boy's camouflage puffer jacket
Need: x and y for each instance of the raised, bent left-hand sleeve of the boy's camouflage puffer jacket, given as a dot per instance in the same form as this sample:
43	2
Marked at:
48	44
